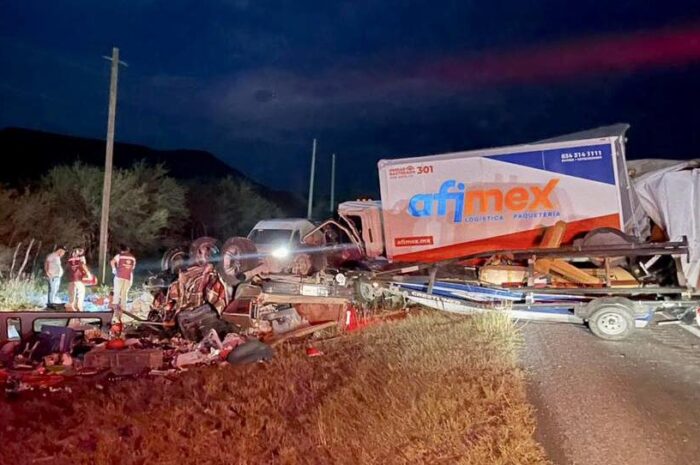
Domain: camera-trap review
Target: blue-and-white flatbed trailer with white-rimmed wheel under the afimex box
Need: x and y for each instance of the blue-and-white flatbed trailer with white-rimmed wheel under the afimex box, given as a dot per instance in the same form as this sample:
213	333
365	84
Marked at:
611	312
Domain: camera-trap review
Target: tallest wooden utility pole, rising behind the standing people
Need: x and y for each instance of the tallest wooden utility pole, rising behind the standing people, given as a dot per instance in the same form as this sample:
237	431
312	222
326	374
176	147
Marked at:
107	186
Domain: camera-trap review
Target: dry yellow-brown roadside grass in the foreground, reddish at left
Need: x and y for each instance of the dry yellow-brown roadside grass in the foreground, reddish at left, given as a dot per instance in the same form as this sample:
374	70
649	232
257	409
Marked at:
429	389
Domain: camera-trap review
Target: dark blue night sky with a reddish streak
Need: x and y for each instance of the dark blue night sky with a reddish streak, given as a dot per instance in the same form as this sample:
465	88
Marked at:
255	81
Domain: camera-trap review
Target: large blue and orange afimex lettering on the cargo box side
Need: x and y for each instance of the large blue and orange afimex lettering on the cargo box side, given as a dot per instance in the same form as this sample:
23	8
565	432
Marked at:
494	200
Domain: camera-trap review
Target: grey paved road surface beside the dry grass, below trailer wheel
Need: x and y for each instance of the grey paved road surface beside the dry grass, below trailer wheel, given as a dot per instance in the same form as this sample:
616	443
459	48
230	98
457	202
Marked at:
600	402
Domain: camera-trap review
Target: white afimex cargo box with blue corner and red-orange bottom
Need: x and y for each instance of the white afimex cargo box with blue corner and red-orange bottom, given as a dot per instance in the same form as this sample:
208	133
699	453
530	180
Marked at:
454	204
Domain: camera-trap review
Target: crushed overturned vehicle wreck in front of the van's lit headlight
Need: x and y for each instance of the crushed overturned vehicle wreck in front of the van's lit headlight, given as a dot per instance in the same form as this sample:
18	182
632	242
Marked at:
199	300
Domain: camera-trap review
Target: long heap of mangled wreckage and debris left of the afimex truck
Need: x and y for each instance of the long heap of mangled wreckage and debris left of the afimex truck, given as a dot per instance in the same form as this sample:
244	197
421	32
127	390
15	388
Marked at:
195	319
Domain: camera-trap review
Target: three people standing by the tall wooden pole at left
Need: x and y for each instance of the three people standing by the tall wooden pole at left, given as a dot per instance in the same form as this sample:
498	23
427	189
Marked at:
79	275
